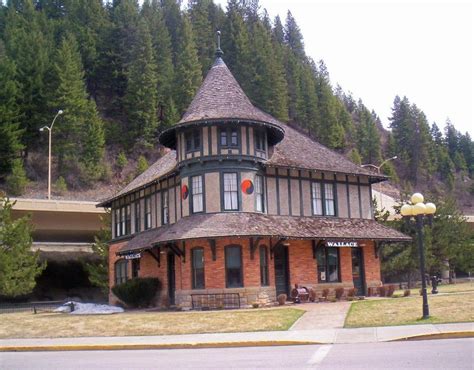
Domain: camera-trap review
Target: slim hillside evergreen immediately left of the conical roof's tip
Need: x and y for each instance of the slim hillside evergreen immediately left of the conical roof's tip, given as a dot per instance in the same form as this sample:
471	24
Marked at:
188	70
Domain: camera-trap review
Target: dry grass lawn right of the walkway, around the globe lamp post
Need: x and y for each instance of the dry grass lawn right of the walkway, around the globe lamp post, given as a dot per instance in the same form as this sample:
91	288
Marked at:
404	311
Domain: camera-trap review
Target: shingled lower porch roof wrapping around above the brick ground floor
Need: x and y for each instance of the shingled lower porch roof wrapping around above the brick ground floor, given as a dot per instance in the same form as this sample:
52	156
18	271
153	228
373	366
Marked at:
239	224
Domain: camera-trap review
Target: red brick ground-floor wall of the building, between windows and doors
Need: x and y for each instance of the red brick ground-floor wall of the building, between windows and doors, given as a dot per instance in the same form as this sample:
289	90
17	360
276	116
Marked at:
302	269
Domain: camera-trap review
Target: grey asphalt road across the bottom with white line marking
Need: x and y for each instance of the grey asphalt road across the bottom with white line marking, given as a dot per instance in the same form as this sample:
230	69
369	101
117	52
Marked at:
435	354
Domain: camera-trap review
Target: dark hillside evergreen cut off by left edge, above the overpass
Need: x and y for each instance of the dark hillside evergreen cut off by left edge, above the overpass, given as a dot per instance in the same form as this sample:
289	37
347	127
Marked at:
10	132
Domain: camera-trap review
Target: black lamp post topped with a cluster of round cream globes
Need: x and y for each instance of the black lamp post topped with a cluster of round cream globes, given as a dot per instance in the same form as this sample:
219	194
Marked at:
419	210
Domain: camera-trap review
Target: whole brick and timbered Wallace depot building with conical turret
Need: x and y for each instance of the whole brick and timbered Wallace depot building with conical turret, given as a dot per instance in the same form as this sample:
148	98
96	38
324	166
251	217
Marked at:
242	203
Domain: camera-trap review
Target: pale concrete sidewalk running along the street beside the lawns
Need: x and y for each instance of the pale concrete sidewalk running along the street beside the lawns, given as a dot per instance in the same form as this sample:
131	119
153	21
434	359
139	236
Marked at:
320	336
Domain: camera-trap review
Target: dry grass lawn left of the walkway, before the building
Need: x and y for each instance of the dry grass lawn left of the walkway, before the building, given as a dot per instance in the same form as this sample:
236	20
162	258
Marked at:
42	325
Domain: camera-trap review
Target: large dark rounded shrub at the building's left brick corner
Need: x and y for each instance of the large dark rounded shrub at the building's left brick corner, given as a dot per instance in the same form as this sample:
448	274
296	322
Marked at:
138	292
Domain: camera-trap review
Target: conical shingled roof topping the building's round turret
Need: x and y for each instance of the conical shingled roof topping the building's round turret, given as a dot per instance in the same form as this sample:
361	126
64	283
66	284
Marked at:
221	99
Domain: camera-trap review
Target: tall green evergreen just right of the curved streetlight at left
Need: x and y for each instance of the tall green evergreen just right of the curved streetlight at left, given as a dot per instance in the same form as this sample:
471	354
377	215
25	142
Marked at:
79	142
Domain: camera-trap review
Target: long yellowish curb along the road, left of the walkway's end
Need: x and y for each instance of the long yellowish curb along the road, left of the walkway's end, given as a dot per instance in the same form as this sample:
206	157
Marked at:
123	347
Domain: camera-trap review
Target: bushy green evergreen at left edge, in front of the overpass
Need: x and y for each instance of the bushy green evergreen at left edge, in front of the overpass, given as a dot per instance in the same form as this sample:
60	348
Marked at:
19	266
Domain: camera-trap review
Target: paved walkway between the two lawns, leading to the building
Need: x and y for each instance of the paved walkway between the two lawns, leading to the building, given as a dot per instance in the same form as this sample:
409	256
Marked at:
322	316
